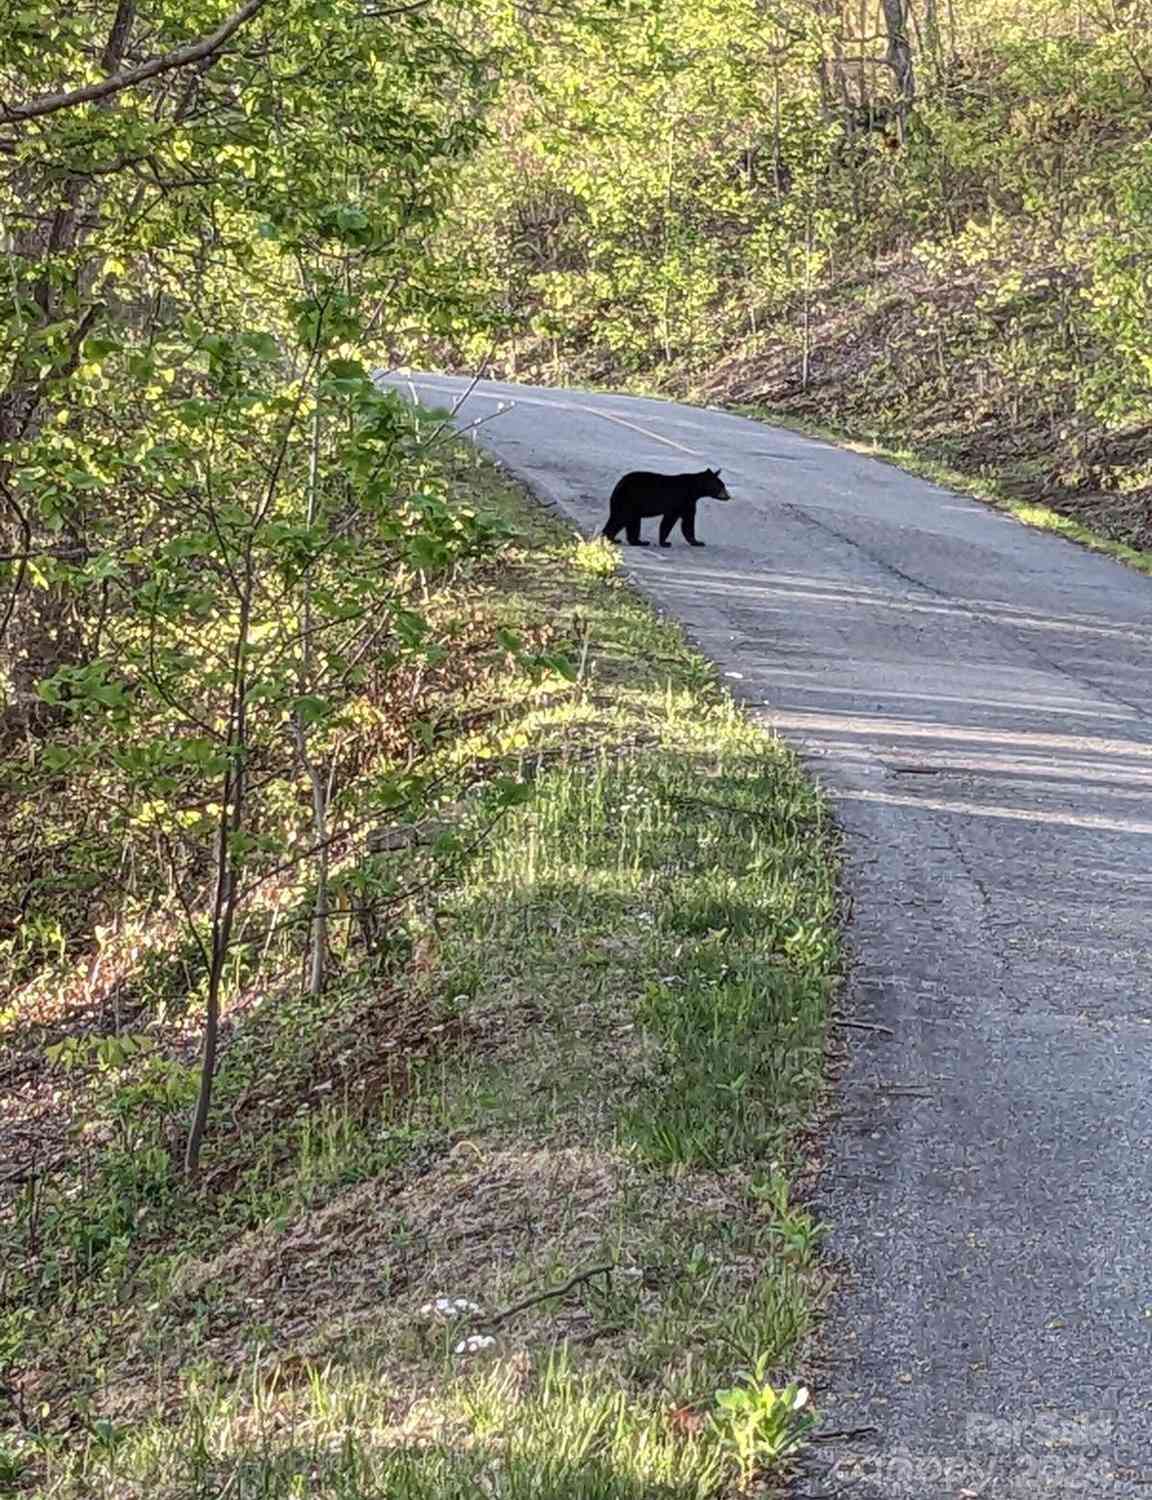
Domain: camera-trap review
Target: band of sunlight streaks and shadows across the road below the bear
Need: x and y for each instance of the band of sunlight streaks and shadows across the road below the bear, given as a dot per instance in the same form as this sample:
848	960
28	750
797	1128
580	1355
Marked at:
982	707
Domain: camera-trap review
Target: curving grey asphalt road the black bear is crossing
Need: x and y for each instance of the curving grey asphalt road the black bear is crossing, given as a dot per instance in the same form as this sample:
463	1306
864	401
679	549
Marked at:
977	700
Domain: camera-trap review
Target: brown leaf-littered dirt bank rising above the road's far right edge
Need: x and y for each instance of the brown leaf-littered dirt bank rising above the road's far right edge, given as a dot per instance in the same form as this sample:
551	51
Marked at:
959	373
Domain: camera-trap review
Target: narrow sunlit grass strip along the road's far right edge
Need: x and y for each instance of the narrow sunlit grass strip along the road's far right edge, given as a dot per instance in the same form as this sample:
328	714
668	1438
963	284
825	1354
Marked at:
980	487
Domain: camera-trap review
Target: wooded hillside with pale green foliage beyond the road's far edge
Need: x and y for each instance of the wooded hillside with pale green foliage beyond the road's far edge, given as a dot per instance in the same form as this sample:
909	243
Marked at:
767	211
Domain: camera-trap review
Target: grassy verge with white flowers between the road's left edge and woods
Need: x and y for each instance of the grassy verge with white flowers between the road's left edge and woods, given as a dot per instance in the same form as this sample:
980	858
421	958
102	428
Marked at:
547	1211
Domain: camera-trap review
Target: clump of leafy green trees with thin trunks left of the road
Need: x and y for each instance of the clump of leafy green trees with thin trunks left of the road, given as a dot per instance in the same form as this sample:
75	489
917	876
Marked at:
203	491
